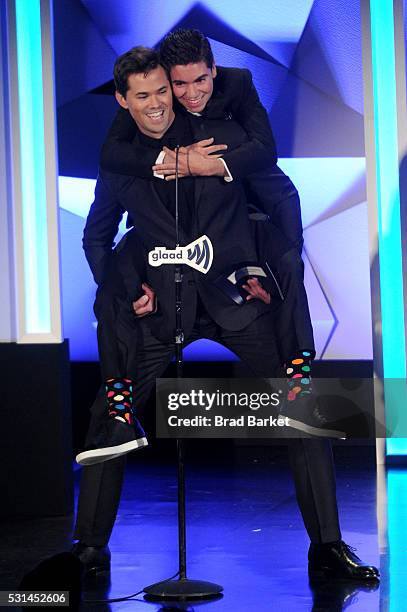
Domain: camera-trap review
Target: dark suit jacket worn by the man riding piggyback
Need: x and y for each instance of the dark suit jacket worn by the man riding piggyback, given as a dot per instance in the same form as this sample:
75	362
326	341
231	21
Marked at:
254	159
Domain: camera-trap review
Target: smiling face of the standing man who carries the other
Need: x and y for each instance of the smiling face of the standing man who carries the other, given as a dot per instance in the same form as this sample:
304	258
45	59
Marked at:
149	101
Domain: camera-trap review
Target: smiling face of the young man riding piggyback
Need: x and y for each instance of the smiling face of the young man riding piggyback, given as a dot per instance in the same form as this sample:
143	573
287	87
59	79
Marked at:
193	85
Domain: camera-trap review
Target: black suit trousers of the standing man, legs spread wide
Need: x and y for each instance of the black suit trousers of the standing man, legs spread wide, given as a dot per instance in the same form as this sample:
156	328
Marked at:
311	460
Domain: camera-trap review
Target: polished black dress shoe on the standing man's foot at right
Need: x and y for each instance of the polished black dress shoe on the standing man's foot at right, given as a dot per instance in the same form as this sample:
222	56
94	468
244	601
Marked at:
338	561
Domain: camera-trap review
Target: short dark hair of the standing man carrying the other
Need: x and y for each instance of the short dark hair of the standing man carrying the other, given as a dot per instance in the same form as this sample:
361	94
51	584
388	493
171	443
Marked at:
138	59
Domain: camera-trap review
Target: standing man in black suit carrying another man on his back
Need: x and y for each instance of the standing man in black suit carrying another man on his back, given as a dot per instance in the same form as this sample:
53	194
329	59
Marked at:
218	209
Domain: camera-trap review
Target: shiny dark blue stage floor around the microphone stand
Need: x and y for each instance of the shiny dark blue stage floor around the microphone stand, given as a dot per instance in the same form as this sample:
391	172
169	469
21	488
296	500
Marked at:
244	531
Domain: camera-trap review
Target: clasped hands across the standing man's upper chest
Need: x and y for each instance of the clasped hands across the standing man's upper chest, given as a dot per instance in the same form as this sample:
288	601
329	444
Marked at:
198	159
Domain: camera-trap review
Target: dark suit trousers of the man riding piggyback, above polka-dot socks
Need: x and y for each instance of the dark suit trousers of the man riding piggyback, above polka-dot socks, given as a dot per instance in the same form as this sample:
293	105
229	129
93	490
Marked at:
113	309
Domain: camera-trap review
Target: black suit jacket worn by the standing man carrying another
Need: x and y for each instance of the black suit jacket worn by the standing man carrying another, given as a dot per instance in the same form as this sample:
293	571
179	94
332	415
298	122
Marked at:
219	211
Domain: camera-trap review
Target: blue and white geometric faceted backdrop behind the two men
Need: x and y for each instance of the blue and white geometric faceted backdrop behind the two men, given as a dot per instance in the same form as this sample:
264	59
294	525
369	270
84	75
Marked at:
306	62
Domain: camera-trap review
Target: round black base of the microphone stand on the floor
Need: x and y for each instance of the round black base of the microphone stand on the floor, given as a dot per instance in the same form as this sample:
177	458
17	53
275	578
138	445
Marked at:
183	589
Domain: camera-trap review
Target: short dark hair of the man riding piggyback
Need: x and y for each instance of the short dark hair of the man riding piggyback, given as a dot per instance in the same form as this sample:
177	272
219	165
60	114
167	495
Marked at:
183	47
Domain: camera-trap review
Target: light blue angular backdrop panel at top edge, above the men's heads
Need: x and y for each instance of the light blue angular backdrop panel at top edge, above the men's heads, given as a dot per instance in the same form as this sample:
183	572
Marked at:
272	27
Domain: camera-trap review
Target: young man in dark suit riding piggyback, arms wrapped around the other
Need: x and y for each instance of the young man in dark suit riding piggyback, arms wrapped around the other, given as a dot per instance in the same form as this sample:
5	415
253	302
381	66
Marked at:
228	95
